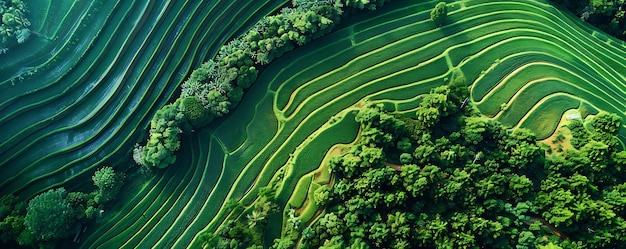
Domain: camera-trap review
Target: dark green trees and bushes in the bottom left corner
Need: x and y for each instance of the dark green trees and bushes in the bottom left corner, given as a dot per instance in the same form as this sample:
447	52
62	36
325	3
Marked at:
50	218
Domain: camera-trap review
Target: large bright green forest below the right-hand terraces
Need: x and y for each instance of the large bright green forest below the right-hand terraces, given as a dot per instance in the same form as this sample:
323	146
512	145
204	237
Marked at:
445	177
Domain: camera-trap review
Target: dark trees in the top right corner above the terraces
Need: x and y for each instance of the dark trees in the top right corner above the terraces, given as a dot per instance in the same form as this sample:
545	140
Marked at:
607	15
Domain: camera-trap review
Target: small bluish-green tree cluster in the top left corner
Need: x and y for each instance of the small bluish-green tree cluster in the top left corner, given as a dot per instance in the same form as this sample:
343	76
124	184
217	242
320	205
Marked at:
14	27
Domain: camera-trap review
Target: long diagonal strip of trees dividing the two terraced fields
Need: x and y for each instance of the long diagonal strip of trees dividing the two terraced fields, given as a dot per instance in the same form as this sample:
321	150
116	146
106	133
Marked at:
218	85
